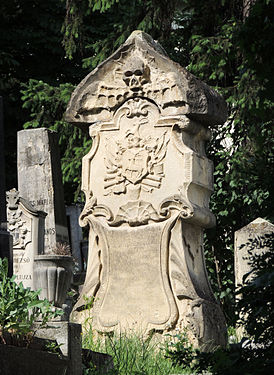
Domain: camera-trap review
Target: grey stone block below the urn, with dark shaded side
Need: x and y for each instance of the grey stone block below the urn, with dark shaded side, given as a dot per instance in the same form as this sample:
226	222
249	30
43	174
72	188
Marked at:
68	335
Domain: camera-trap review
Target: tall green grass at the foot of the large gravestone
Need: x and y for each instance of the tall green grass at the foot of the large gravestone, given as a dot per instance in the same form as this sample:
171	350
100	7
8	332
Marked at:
132	355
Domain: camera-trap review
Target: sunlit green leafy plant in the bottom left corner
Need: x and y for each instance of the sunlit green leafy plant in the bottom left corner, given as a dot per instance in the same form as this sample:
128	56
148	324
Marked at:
20	307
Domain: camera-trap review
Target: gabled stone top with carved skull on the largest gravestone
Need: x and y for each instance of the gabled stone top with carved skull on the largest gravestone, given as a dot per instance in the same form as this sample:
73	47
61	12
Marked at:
141	68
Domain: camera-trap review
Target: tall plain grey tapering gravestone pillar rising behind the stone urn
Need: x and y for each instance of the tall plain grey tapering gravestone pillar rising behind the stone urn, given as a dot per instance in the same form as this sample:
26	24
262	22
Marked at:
40	181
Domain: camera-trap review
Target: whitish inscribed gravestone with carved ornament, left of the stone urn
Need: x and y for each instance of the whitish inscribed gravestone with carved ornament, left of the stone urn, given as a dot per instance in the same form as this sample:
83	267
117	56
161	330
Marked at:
27	226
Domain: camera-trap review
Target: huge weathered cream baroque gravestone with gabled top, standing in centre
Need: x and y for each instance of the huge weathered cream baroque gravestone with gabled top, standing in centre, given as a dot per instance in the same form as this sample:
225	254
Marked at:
147	183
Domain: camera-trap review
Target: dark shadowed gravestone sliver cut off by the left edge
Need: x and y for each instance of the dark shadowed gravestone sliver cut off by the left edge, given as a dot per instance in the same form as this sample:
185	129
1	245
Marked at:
5	237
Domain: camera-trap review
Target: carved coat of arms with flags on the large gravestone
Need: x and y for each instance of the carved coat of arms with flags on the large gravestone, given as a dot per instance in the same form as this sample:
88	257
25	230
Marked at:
135	158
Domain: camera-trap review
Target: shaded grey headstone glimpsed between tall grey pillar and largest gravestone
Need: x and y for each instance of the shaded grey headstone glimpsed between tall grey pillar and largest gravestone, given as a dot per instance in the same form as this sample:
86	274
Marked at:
75	233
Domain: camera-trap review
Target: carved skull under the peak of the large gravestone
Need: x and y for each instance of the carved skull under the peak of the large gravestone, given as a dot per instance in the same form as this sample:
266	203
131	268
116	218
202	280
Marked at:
136	74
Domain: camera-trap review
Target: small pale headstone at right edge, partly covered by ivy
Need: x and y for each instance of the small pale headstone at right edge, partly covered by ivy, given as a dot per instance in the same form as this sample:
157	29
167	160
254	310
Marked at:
254	230
